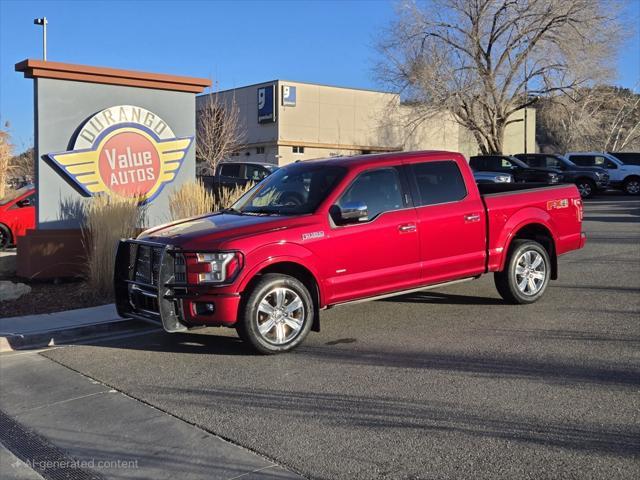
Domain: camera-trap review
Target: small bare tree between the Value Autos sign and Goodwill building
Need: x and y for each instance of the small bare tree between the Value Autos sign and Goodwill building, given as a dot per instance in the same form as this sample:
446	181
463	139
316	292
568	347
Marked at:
218	129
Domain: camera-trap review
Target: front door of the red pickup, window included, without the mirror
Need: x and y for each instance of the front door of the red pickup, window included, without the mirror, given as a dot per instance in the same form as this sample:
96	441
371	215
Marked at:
380	254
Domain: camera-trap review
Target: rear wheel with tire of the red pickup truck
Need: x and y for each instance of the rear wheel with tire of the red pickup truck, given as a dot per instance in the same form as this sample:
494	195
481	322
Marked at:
526	258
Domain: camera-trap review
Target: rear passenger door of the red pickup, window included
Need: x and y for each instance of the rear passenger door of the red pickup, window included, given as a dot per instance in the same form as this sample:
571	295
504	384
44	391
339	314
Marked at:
451	221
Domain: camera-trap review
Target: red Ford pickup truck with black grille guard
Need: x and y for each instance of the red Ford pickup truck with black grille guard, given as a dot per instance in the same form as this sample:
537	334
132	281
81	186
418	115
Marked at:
360	228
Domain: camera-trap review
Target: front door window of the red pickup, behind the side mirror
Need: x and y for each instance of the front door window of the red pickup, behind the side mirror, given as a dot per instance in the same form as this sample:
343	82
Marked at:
378	189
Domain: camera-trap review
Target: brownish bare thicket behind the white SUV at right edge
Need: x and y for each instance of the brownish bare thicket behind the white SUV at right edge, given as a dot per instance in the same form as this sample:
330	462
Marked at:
601	118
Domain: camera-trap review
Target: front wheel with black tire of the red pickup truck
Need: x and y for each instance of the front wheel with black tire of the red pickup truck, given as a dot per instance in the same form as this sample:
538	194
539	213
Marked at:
276	315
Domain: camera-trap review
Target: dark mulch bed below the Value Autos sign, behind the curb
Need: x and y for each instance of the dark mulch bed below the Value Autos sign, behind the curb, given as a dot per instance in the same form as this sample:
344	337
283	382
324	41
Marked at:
50	297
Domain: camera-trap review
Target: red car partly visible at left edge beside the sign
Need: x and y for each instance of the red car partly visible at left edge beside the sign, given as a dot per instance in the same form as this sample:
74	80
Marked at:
17	215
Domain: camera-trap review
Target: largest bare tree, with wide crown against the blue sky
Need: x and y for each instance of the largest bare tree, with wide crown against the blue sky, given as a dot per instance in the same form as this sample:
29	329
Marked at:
483	60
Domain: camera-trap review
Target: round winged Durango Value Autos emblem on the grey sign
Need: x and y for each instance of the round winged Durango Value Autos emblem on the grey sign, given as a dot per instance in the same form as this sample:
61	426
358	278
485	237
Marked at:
126	151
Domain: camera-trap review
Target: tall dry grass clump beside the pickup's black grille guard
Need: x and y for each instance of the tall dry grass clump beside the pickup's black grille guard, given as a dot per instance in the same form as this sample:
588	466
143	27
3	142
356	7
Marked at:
107	219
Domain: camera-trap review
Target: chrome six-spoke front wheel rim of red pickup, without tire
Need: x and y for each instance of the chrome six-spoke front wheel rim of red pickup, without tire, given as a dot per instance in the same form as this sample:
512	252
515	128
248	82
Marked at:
280	316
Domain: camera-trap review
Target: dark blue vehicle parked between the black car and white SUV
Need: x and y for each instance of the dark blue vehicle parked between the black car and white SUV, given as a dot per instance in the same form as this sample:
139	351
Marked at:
589	180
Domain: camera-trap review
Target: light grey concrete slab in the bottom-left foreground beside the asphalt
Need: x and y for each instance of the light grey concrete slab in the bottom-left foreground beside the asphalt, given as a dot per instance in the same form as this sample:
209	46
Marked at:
54	417
